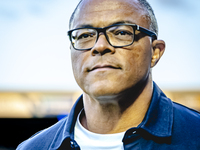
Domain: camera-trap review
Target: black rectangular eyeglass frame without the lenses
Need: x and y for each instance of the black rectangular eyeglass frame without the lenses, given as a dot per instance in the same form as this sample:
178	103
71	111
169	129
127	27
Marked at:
103	30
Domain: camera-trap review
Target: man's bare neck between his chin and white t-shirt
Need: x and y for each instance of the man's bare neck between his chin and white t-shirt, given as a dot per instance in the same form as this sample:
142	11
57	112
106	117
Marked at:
117	115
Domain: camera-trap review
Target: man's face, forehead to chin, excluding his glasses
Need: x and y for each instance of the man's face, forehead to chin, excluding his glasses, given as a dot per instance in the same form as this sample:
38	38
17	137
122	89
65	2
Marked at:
105	70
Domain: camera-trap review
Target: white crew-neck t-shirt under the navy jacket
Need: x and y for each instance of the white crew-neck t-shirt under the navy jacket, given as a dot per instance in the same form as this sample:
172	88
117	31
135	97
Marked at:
92	141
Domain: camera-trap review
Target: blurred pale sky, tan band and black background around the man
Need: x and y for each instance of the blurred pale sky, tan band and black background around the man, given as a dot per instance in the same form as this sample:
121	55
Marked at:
37	87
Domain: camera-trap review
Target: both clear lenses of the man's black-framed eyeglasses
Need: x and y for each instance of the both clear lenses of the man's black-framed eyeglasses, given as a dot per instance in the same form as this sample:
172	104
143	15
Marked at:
119	35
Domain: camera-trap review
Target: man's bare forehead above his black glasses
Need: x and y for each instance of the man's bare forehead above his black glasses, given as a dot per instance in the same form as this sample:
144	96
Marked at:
101	13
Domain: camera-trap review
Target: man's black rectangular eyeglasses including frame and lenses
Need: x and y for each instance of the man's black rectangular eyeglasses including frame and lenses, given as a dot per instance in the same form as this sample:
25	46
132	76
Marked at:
118	35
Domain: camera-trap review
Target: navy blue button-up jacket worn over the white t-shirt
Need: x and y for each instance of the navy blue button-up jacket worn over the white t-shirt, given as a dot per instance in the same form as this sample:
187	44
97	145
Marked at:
166	126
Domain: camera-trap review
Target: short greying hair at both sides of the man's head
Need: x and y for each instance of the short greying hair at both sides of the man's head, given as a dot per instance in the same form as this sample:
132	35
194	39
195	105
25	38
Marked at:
150	14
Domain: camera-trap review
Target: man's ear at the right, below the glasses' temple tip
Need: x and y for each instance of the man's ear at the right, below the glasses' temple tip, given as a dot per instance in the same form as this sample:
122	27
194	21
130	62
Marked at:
158	47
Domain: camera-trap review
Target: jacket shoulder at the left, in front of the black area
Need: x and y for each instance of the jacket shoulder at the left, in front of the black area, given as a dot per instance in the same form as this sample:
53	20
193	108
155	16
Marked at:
43	139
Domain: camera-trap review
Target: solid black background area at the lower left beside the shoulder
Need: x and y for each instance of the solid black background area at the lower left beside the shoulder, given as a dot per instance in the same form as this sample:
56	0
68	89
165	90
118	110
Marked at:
14	131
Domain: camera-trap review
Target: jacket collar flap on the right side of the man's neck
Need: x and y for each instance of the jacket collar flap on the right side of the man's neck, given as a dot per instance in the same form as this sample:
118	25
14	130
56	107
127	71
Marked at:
159	117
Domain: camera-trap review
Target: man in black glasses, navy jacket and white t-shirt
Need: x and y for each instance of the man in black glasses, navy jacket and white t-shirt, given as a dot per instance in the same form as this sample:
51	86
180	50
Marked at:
114	47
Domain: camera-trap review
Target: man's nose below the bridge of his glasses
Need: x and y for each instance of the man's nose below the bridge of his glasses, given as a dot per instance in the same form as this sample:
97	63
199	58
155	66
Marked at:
102	46
